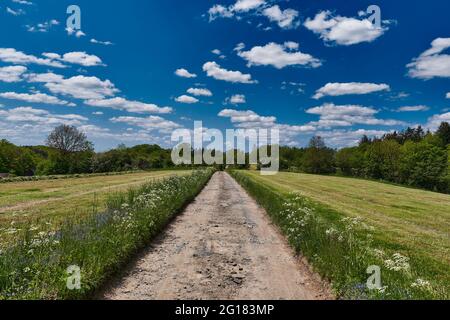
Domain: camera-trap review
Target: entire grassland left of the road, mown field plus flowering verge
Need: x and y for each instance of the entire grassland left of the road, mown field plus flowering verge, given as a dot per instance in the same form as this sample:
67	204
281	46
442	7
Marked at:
88	226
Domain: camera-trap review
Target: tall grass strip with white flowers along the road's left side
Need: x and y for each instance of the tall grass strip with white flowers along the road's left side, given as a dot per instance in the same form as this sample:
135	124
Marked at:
36	266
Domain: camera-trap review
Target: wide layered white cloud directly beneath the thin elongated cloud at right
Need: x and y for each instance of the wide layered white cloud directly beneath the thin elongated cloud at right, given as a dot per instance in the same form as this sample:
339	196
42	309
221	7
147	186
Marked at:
347	115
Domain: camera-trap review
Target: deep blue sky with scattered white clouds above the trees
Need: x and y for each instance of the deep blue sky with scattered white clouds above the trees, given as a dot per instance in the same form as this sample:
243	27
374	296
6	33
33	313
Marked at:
304	67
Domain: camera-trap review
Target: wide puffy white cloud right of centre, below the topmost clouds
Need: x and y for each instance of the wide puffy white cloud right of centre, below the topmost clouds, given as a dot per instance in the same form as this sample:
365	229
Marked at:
279	56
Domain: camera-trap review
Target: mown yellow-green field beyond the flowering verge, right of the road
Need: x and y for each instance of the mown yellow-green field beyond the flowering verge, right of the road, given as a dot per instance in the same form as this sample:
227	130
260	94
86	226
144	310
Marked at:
414	222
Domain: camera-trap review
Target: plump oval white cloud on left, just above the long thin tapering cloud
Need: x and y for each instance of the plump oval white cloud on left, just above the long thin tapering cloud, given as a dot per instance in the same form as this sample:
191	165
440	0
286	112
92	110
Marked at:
82	87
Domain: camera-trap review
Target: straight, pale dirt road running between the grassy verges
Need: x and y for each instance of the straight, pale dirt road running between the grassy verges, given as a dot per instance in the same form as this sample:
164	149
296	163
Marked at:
223	246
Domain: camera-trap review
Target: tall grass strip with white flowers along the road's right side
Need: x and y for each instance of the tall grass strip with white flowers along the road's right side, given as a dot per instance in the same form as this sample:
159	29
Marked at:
342	249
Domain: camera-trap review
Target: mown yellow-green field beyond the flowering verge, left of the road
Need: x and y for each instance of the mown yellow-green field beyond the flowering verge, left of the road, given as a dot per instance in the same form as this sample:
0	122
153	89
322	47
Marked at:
57	200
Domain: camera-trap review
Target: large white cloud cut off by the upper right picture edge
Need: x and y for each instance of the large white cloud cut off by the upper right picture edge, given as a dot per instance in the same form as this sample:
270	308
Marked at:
432	63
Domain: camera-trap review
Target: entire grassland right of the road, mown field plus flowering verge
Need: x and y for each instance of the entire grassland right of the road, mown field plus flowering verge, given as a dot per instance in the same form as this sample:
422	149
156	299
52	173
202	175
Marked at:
409	243
